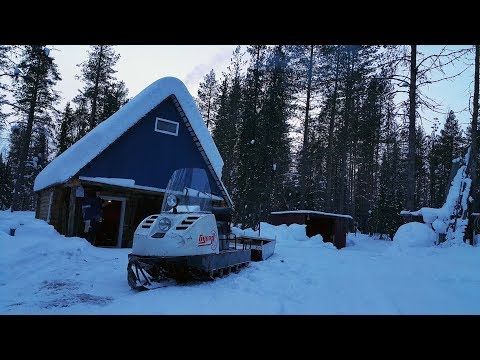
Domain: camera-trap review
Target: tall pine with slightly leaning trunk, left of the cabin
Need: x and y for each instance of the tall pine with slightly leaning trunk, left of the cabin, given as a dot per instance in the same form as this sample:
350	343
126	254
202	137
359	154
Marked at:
35	97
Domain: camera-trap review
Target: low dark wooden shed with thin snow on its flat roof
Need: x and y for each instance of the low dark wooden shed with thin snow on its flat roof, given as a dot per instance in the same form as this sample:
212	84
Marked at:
332	227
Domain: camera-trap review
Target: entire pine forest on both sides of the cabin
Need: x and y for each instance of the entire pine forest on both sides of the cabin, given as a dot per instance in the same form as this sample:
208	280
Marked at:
334	128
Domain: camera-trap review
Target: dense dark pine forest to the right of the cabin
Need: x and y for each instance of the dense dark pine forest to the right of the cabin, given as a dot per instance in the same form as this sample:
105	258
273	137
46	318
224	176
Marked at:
335	128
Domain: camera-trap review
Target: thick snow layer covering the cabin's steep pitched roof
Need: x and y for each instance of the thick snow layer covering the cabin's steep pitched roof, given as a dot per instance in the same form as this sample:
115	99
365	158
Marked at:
67	164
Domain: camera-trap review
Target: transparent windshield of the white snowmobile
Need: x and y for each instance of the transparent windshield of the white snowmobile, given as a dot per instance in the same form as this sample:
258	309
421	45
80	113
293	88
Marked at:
191	192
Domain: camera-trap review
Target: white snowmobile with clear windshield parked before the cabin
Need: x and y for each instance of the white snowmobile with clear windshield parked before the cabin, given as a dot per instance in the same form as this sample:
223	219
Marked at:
188	240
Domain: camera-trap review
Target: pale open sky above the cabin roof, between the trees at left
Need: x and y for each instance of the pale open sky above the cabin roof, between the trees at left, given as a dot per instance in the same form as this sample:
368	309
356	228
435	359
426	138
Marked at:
141	65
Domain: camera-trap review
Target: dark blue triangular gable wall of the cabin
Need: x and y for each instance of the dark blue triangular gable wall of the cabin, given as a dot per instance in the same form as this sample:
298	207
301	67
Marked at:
147	156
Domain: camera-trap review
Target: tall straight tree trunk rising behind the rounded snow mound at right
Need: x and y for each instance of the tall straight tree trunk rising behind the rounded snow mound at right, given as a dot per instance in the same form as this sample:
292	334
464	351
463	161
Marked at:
410	203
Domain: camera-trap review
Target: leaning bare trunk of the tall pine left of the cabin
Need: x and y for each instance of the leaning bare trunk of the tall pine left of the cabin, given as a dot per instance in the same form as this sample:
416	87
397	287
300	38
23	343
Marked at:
16	200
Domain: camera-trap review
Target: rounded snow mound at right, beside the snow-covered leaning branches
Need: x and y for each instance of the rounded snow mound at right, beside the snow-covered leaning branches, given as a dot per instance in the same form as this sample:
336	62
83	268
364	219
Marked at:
414	234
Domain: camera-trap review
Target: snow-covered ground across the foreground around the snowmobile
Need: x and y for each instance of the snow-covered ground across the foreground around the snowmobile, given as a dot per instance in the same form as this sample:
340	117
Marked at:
43	272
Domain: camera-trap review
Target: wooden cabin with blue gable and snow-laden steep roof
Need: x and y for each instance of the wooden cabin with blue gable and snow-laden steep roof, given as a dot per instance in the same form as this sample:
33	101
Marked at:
129	159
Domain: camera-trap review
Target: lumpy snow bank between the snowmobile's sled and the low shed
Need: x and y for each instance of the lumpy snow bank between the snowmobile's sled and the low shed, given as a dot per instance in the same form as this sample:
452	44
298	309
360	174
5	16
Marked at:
285	235
